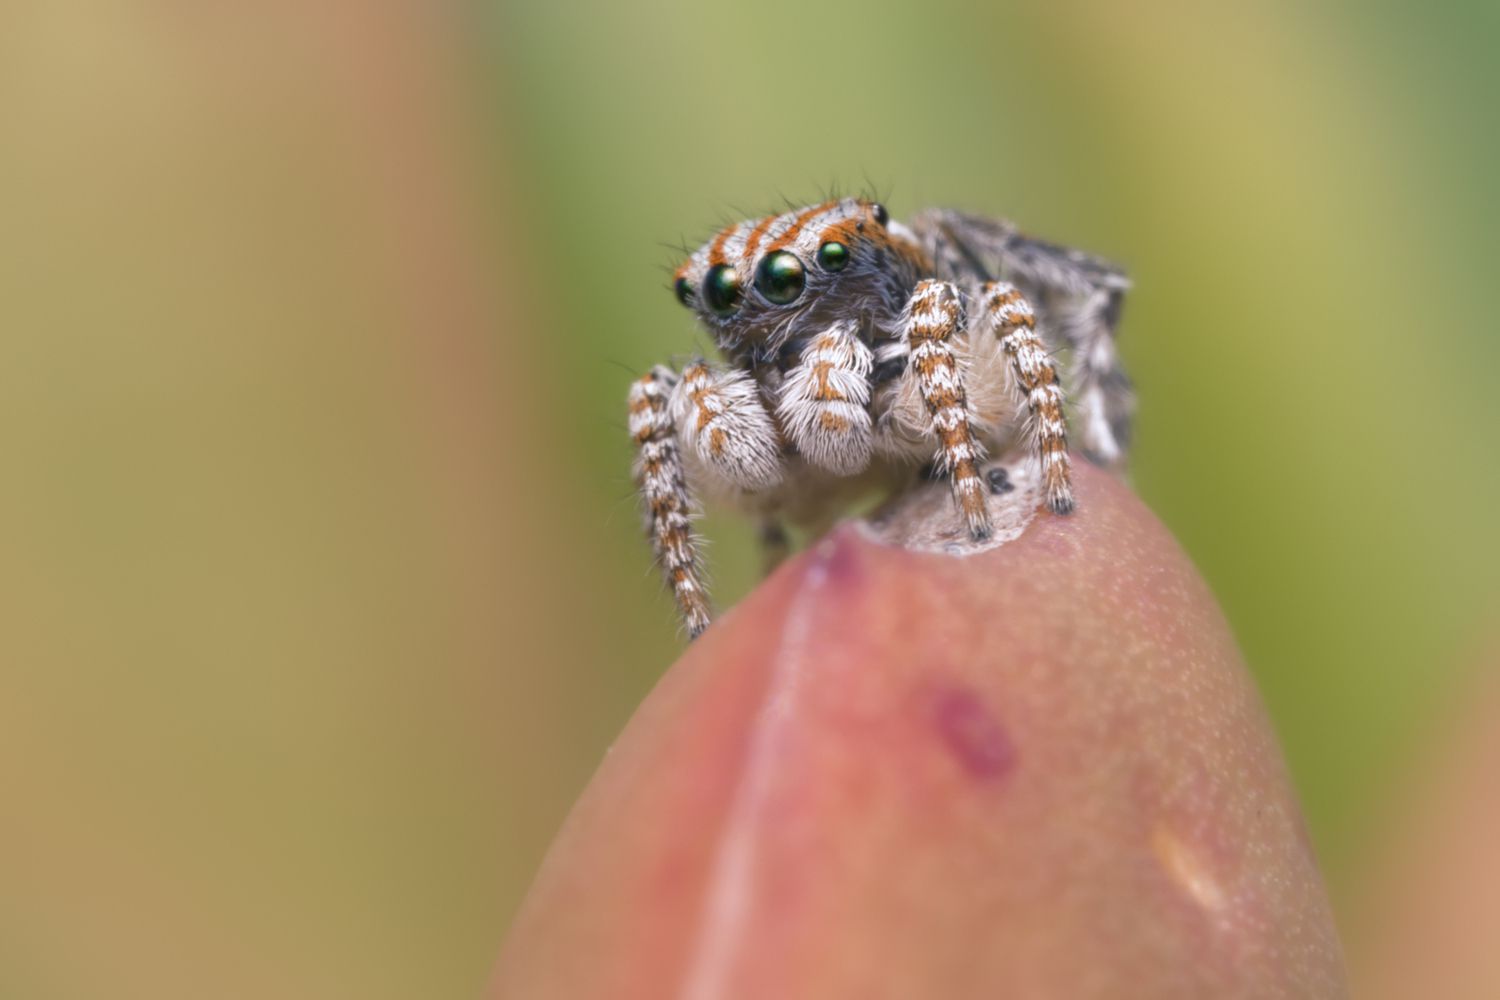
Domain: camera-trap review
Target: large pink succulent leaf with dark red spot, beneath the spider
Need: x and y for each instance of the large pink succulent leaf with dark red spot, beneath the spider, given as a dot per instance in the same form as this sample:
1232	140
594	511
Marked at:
1040	771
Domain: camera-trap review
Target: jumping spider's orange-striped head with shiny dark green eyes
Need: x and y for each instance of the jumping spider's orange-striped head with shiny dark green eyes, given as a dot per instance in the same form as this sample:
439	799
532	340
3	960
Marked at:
763	283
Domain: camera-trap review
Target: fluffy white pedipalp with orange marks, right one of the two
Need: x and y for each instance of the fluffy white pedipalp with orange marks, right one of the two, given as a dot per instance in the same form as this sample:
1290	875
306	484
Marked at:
824	401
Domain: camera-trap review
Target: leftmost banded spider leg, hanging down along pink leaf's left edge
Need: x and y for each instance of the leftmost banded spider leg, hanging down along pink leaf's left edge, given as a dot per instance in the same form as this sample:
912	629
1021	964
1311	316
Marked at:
665	496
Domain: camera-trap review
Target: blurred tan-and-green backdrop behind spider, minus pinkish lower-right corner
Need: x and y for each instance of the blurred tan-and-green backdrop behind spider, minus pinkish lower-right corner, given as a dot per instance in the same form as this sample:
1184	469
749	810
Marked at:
320	581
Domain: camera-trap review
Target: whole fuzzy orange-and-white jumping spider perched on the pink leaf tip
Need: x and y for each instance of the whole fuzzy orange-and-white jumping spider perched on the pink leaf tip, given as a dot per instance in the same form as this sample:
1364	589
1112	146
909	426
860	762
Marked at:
859	350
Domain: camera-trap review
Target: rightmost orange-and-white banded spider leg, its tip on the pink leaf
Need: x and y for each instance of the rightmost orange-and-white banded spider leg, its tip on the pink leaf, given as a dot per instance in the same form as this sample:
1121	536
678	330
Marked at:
1010	317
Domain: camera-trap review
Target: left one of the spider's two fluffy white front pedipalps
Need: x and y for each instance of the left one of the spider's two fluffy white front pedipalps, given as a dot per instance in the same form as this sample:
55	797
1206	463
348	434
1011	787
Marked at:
722	421
